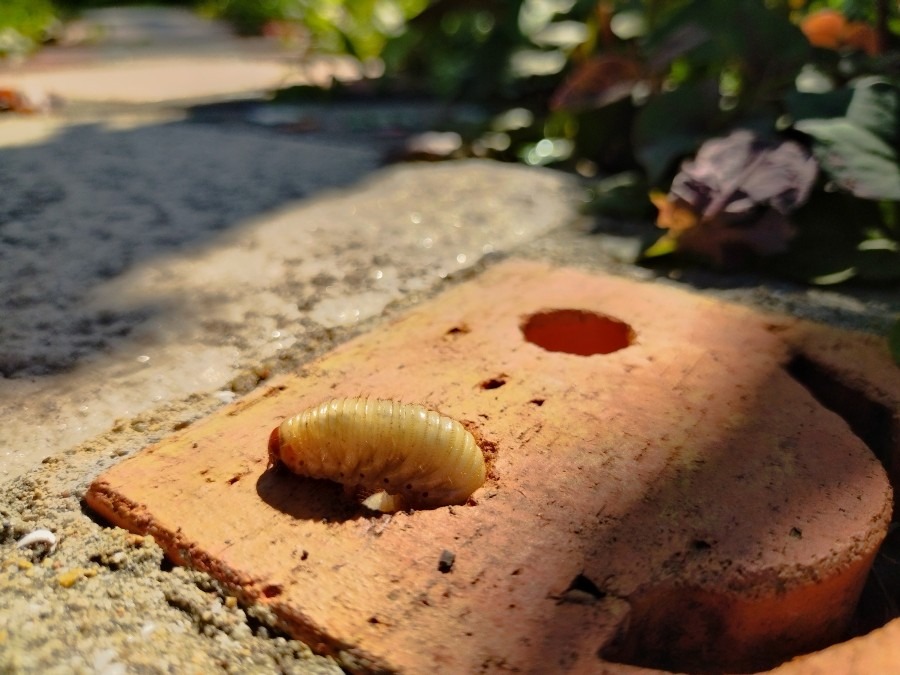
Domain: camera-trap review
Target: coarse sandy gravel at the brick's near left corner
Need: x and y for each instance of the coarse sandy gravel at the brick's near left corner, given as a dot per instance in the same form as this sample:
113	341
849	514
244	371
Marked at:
106	601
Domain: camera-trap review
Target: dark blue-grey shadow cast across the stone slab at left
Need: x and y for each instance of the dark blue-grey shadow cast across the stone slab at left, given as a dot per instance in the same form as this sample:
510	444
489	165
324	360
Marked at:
92	202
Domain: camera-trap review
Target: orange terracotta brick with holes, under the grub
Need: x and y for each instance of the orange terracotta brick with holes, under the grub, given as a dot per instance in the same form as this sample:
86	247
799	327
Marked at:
677	499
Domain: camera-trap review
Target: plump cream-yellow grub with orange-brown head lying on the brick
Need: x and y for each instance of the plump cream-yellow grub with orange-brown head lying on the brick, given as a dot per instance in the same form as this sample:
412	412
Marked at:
422	459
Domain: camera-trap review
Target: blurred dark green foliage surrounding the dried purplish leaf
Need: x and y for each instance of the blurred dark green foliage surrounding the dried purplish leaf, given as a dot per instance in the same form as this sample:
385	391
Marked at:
624	91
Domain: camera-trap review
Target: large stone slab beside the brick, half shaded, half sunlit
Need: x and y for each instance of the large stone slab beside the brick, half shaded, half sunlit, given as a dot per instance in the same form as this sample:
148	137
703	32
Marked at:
158	289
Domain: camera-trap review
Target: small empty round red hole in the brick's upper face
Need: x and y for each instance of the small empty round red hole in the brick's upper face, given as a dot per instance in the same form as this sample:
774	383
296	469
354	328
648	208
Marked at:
577	331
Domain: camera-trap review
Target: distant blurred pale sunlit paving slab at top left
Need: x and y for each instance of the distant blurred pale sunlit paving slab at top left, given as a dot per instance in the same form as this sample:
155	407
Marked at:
152	55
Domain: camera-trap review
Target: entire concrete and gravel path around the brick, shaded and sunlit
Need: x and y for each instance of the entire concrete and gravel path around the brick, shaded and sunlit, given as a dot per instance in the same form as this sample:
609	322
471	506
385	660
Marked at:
156	264
